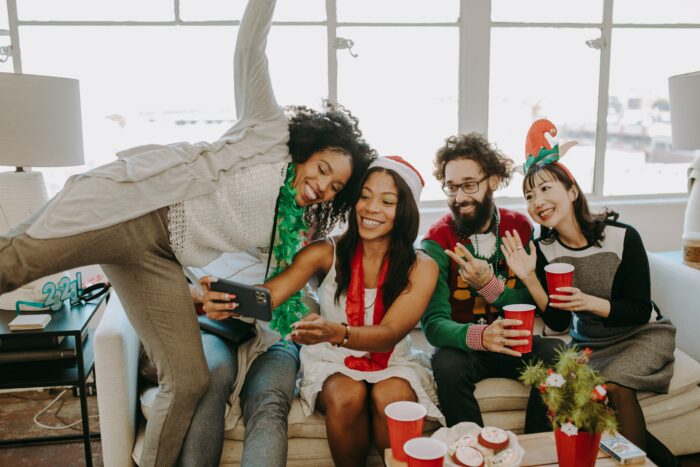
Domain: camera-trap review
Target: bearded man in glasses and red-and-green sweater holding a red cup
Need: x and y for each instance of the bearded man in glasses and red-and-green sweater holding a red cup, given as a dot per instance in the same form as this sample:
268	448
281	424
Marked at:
463	319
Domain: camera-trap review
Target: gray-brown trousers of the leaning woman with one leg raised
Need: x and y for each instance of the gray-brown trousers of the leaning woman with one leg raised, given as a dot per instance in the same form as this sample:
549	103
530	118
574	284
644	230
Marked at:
137	257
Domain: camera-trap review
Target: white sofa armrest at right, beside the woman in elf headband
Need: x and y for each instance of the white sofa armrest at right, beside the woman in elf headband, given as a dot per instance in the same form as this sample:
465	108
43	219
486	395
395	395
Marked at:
674	288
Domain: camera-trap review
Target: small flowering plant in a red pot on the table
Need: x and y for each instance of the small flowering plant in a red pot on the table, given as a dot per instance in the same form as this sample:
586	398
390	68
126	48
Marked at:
577	405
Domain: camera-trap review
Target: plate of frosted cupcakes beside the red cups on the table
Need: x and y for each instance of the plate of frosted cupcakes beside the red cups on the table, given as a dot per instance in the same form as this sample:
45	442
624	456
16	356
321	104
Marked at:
469	445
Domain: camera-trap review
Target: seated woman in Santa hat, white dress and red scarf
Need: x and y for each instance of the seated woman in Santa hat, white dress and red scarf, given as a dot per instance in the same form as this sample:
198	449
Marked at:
373	289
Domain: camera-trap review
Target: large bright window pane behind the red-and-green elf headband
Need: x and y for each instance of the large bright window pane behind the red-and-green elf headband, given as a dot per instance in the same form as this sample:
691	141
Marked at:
560	85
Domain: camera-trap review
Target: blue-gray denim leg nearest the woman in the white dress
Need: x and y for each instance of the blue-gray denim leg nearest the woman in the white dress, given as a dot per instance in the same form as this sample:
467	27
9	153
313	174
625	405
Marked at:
266	398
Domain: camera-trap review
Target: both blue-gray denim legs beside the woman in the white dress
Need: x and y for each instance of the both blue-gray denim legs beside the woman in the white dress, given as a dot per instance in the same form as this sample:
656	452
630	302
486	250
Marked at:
265	399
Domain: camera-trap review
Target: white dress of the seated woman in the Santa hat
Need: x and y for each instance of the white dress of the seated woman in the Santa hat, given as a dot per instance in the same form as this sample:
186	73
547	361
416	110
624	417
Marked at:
319	361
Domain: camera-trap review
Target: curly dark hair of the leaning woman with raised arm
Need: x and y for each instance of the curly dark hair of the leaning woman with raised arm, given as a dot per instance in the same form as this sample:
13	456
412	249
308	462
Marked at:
334	128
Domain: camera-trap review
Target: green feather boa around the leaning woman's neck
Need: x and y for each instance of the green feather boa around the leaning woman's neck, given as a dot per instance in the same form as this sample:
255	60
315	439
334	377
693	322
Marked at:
290	227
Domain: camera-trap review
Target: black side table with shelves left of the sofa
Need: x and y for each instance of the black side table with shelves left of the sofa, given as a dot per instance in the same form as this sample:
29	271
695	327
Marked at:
72	323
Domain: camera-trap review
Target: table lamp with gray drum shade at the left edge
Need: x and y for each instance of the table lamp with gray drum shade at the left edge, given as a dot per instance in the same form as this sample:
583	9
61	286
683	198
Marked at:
40	126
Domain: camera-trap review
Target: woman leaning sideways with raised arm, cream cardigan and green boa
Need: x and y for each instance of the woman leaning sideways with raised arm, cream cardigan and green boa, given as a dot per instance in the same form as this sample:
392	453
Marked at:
159	208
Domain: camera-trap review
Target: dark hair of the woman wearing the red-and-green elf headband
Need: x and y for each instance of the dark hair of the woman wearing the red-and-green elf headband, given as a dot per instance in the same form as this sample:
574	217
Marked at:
592	225
